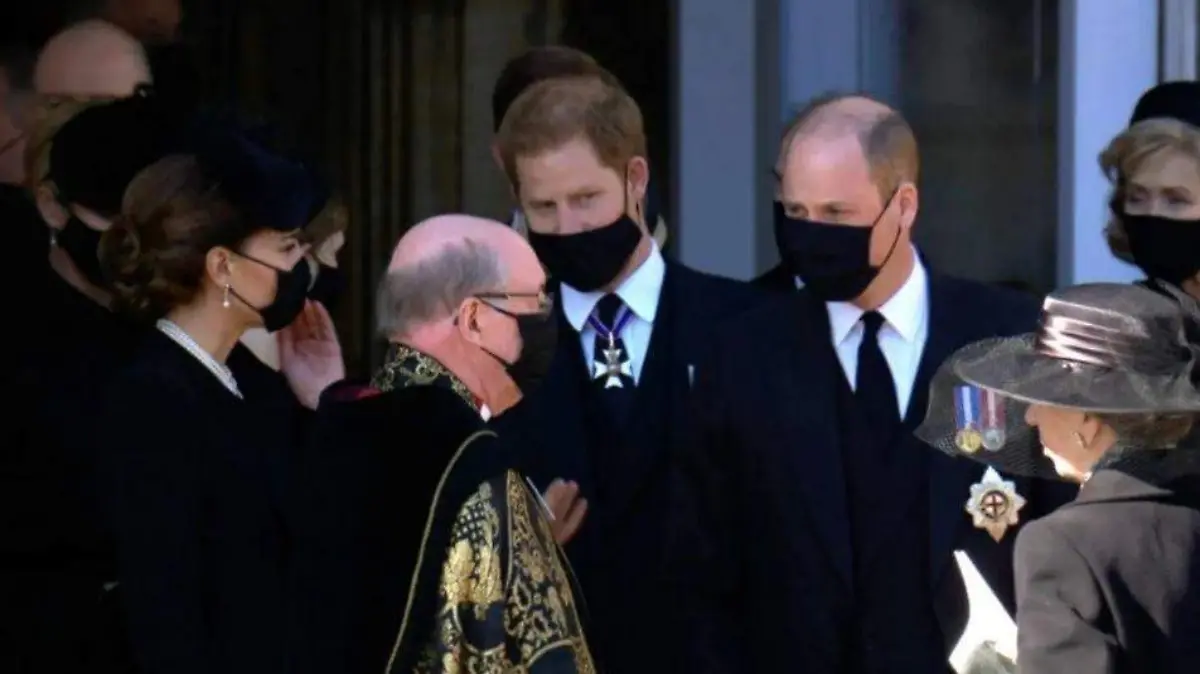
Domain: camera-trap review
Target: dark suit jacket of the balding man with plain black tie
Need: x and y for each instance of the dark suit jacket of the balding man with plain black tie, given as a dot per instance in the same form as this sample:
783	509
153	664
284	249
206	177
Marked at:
765	556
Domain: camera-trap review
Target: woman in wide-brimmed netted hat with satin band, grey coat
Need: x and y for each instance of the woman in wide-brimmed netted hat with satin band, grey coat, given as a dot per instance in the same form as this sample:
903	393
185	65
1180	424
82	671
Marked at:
1105	394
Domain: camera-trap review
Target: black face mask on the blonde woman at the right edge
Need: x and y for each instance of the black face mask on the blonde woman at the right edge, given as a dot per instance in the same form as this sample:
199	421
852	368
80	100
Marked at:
1167	250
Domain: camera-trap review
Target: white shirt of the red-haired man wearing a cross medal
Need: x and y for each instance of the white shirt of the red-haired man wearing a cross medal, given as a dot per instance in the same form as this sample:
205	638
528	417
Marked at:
640	293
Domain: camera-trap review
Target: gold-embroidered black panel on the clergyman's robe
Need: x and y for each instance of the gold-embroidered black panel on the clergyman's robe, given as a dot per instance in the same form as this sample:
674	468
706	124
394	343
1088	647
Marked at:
507	599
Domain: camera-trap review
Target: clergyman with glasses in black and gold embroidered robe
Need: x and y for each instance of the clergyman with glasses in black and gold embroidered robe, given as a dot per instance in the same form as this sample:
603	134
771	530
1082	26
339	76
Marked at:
419	549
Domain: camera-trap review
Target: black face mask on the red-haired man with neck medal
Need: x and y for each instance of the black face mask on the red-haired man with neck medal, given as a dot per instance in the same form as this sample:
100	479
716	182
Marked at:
589	261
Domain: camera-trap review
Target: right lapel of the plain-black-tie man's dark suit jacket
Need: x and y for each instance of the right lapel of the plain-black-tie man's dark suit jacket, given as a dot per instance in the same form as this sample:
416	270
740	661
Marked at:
950	479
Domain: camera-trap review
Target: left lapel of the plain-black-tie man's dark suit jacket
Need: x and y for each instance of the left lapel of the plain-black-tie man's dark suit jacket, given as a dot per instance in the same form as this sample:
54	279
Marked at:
806	401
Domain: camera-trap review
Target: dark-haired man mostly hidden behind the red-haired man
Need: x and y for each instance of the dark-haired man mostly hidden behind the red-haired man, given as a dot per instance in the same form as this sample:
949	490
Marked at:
545	63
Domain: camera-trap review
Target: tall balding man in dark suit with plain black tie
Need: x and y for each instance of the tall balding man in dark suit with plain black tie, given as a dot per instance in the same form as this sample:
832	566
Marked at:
826	528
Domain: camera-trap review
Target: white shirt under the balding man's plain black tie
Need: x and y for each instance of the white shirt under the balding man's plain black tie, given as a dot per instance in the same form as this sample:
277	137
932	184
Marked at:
902	338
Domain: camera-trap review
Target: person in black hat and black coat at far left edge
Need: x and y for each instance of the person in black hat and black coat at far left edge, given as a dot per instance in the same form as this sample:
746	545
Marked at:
56	559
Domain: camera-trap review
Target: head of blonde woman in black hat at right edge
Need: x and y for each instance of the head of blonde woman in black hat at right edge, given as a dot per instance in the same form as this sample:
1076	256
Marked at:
1155	171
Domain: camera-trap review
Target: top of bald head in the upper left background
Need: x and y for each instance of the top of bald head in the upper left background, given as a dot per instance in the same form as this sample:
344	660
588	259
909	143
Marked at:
92	59
